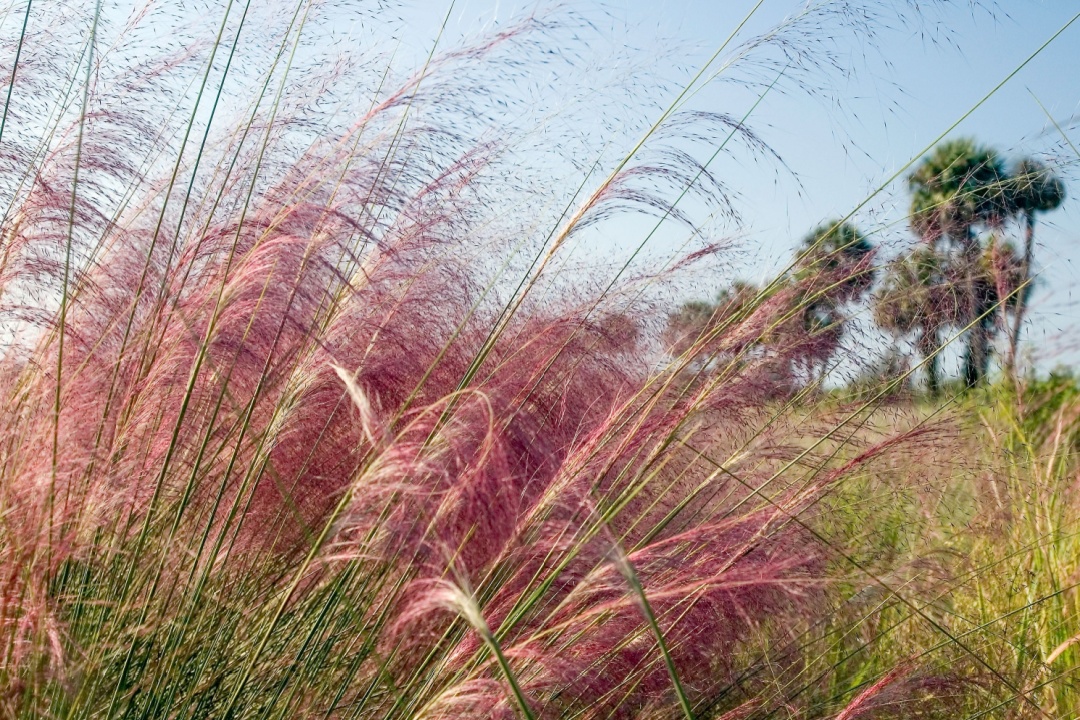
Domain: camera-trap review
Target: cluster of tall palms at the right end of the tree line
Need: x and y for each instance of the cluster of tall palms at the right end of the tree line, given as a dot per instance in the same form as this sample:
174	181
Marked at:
967	277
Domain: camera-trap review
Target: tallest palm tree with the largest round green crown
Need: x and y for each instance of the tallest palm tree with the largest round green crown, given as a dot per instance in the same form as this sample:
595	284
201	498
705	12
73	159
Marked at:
960	187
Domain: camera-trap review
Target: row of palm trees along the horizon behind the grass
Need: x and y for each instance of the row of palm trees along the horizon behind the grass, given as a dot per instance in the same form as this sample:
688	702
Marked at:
965	276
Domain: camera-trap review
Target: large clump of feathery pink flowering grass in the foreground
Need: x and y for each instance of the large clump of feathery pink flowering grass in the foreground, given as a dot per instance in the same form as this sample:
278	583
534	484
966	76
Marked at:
304	417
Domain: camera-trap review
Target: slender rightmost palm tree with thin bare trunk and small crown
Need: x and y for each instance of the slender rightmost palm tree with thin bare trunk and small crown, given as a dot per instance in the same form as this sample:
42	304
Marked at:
1034	189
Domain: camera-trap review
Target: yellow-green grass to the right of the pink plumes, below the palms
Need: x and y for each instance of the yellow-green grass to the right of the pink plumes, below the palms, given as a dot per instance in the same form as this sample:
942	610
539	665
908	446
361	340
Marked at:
976	537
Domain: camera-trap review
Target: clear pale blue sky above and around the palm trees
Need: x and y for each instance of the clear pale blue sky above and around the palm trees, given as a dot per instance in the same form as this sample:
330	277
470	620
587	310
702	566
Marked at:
911	83
